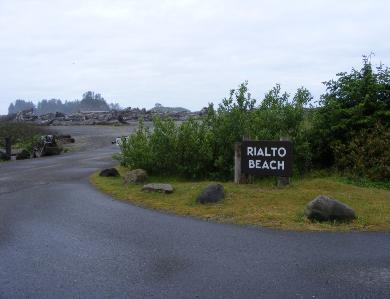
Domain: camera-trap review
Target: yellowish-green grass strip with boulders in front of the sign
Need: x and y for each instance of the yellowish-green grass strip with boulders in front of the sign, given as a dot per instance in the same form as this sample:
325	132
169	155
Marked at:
262	203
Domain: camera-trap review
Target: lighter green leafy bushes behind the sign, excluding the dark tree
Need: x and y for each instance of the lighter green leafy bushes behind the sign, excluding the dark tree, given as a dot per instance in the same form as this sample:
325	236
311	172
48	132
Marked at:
205	148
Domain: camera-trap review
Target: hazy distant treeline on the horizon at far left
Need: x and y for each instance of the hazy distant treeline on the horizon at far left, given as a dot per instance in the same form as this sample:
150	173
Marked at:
90	102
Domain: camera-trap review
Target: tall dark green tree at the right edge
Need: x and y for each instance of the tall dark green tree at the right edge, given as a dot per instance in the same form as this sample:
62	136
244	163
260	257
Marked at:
354	103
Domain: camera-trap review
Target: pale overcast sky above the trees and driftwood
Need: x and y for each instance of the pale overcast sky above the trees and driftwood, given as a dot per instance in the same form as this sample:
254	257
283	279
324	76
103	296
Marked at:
181	53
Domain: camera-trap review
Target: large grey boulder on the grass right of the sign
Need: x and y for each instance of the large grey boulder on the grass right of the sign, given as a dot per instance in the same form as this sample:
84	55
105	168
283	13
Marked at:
323	208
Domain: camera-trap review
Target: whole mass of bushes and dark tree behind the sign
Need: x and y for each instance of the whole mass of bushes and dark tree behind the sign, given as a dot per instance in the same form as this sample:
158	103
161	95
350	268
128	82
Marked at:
348	132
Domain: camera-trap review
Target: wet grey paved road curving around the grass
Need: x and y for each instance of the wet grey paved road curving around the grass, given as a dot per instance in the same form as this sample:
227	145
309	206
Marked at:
60	238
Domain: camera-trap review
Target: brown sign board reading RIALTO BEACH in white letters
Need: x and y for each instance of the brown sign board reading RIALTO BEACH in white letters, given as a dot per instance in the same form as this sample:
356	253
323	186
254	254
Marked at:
267	158
